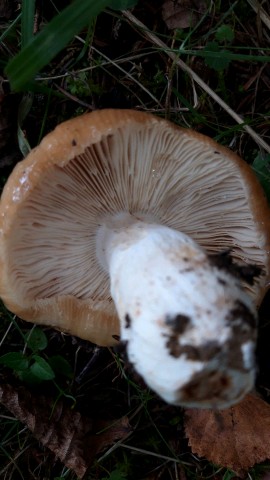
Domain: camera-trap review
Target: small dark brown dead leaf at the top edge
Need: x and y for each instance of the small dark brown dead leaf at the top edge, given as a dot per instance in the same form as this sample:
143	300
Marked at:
182	13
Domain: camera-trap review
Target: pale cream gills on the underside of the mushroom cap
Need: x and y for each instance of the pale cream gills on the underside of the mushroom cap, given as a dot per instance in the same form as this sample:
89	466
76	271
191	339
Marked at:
54	251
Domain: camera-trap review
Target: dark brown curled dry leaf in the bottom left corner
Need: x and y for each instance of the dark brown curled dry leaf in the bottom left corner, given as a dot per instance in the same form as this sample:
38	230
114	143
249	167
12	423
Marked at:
73	438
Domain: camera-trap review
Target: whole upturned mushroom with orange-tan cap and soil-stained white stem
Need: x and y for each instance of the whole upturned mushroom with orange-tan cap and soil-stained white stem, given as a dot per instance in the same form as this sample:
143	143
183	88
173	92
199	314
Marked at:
115	223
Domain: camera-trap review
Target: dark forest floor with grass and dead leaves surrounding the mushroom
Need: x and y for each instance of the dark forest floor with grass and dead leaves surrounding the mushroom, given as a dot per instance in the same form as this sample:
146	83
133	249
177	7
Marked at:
82	412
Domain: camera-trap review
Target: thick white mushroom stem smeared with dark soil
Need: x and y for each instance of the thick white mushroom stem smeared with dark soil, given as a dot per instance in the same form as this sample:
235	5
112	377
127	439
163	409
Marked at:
190	328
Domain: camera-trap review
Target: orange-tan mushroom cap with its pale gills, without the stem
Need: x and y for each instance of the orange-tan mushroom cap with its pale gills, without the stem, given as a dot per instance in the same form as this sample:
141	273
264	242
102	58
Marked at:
112	161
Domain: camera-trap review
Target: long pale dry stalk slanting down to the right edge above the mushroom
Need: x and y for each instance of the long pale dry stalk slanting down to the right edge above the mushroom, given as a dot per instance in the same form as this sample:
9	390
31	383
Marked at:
156	41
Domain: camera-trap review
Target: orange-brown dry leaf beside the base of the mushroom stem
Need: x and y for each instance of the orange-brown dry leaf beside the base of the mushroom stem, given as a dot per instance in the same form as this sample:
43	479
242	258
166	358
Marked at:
236	438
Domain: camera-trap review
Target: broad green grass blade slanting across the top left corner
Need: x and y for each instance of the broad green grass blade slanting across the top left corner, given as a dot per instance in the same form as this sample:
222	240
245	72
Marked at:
50	41
